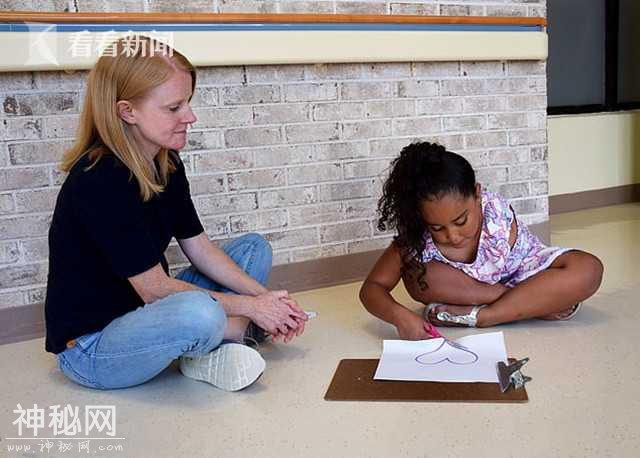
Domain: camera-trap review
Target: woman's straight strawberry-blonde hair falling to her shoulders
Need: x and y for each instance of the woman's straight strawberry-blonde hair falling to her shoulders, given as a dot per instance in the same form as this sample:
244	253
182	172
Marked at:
133	66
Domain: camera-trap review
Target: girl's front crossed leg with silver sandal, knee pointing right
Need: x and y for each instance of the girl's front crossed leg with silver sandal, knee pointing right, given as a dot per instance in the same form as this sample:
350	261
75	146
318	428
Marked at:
571	278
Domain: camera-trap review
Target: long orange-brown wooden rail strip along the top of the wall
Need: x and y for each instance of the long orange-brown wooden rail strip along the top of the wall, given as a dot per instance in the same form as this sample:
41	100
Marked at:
213	18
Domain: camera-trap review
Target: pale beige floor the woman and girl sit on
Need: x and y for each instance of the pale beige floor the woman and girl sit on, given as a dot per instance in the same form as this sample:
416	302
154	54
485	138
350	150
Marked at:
584	398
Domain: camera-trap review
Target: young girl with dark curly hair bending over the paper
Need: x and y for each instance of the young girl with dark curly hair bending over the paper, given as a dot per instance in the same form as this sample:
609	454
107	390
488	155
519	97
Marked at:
462	251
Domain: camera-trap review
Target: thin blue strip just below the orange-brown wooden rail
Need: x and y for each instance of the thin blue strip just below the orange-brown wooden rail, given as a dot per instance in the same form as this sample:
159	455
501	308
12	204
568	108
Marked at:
267	27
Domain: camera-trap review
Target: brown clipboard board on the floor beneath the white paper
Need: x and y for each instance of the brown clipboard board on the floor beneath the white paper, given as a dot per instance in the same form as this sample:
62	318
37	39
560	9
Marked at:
353	381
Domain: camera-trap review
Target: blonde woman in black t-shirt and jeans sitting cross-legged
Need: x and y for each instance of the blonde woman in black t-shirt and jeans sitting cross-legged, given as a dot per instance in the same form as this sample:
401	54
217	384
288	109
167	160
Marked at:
114	317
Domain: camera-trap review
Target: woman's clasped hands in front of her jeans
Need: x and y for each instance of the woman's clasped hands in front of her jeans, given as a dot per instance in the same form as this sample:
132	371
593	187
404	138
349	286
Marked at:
278	314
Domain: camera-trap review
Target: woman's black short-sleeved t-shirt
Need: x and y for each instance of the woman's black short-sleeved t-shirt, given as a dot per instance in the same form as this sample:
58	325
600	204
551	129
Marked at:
101	234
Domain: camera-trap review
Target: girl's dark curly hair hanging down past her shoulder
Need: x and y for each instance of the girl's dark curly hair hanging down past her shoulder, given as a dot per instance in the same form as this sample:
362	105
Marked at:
423	171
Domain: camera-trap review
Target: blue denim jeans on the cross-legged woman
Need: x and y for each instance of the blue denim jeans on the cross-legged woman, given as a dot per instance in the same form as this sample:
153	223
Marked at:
142	343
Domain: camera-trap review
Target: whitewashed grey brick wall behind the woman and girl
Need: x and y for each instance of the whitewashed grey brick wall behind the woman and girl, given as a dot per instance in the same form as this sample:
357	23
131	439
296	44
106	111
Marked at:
295	152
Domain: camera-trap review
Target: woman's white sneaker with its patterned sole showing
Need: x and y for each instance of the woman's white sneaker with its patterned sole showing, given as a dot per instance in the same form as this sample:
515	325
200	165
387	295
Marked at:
230	367
